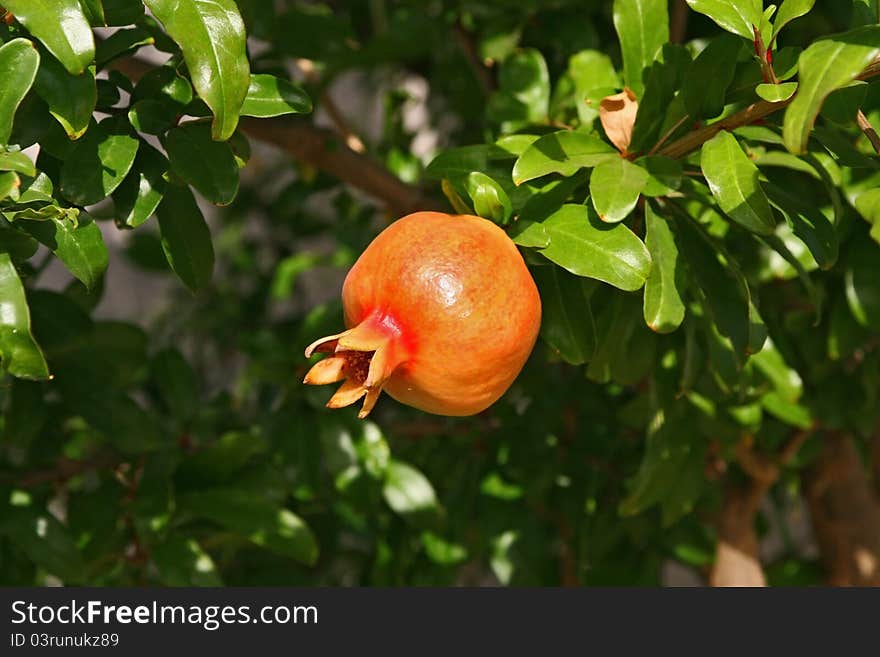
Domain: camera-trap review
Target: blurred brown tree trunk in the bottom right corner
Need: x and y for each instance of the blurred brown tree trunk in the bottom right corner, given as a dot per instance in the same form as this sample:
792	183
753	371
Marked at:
845	510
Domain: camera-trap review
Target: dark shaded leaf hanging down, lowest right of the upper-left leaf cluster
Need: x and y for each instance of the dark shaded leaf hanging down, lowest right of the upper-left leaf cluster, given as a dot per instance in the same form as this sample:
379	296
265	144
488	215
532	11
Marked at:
186	239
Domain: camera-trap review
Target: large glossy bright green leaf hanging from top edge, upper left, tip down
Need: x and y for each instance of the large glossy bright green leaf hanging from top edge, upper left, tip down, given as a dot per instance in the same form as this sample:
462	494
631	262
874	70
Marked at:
212	37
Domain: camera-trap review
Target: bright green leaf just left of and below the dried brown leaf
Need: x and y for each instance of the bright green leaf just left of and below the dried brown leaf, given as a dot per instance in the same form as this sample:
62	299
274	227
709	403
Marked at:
564	152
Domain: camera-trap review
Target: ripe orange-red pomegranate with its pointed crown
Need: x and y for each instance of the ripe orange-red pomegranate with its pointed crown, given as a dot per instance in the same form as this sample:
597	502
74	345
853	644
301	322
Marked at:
441	314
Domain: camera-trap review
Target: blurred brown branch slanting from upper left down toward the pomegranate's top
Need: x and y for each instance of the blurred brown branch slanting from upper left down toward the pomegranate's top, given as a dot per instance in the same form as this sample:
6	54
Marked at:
321	149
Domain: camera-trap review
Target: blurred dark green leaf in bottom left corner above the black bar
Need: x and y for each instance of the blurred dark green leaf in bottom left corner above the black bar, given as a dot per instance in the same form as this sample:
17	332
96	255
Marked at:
44	540
